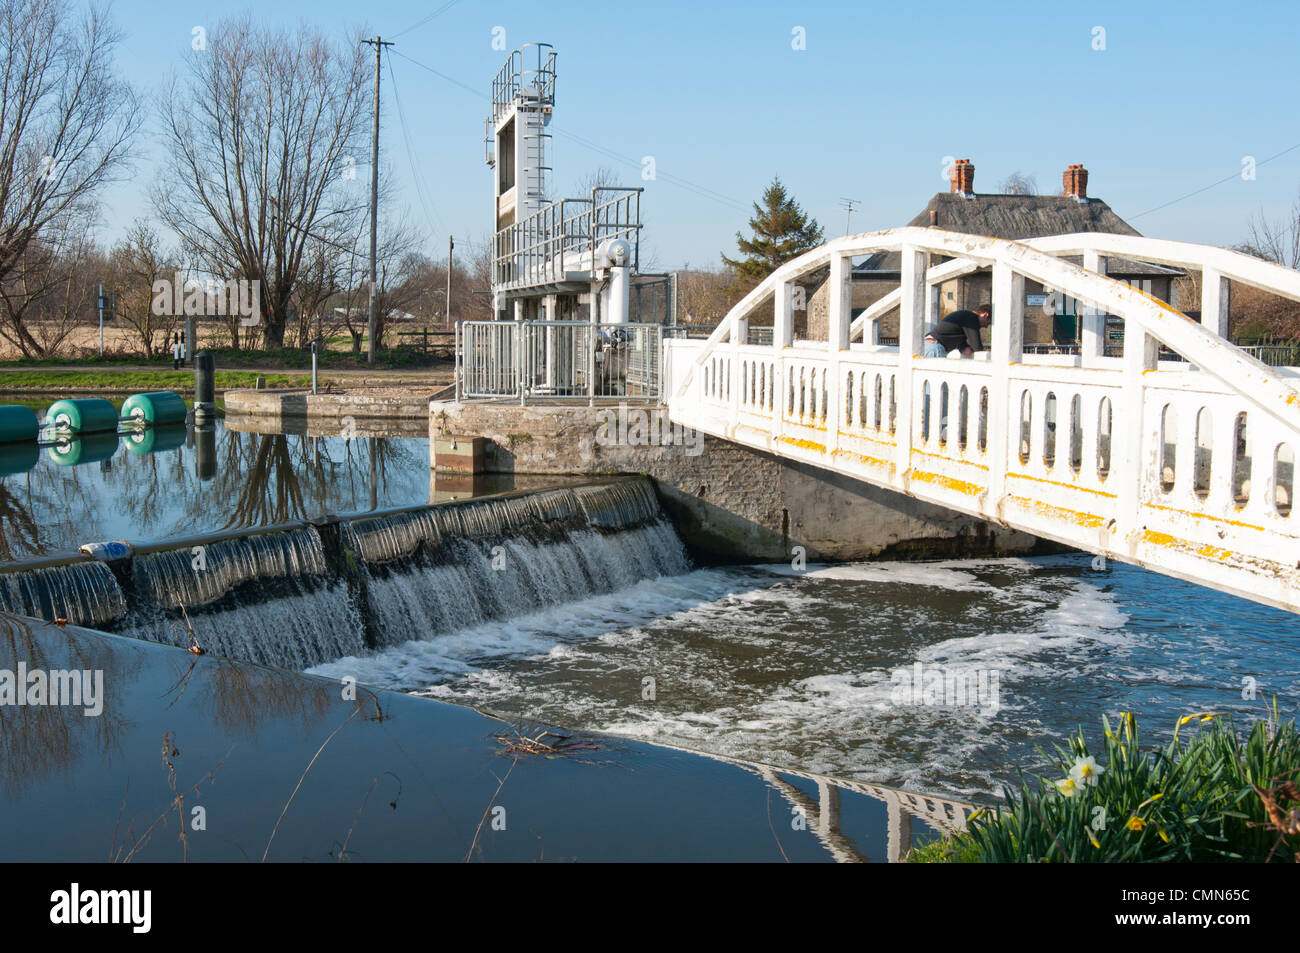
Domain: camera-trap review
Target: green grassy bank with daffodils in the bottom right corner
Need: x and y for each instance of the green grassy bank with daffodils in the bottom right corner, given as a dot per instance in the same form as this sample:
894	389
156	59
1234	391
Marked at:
1210	796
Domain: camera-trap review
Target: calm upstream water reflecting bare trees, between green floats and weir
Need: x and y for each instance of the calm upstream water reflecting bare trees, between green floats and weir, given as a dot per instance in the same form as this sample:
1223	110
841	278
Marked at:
259	479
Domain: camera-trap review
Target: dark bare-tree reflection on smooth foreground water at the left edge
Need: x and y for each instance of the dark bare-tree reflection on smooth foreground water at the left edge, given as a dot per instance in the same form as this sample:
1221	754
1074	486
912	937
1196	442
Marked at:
42	740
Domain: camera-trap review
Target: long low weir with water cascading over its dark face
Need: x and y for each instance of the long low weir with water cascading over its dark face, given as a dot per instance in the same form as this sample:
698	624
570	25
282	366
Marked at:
301	595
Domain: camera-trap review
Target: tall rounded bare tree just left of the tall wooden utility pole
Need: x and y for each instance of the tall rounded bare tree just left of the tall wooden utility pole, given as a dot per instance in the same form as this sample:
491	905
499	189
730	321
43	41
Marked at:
263	138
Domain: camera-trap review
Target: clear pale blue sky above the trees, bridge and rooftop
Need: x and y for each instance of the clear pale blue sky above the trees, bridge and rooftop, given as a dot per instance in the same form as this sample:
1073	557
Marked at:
869	110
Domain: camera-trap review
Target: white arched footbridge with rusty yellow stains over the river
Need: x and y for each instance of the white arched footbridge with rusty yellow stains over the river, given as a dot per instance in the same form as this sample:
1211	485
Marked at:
1182	467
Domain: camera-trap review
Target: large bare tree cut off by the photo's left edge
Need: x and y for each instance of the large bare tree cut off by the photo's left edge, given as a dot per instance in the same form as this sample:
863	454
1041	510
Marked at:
66	128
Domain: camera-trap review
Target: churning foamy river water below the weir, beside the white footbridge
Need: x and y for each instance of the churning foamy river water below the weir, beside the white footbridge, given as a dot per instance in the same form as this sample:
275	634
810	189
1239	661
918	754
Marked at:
798	668
